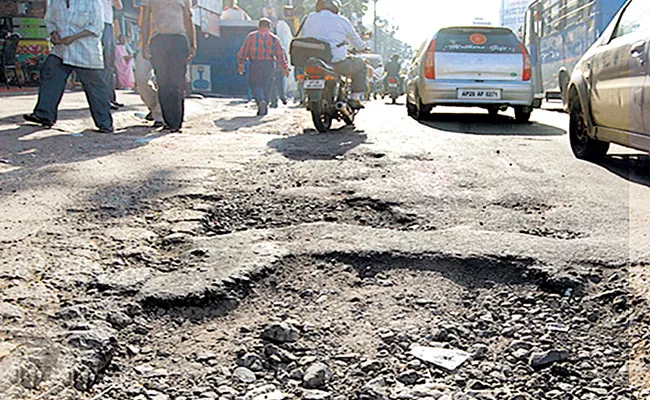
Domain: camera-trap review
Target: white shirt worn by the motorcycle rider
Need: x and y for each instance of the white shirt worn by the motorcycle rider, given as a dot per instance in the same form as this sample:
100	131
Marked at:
333	29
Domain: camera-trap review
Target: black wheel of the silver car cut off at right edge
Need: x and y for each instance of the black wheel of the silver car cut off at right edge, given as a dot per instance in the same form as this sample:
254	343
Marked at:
583	146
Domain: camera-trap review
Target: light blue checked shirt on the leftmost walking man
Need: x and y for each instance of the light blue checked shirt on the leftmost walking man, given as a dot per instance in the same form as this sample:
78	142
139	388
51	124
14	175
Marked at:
82	15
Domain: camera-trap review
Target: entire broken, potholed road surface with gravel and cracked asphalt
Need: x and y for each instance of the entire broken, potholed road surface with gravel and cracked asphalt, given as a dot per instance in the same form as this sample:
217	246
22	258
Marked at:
253	259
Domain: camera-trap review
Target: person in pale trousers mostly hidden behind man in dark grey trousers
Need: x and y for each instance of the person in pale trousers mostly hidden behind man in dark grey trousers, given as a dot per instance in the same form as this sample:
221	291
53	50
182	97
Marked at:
144	81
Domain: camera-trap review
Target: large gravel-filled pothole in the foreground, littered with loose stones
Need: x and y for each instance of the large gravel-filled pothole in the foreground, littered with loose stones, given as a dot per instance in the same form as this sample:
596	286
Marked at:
360	315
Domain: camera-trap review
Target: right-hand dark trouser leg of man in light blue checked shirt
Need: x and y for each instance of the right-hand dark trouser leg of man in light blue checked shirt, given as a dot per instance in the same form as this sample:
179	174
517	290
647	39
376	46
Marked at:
97	94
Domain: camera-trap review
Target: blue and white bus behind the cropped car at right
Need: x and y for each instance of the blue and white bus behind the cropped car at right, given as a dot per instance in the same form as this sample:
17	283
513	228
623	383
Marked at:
558	33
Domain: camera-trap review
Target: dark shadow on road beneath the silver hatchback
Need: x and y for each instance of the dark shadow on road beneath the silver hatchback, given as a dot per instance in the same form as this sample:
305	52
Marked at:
484	124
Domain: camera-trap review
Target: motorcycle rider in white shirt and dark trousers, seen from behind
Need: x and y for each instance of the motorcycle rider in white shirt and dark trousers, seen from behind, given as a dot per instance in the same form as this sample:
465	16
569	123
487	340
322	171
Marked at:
328	26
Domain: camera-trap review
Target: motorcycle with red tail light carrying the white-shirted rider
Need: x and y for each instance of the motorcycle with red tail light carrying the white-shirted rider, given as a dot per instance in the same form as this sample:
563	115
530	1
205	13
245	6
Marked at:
327	95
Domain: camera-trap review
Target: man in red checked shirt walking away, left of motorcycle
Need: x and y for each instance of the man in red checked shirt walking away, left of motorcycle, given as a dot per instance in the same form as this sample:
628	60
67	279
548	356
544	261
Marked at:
264	50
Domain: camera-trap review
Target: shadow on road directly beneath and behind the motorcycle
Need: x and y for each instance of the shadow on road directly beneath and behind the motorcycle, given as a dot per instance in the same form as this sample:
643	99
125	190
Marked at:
312	145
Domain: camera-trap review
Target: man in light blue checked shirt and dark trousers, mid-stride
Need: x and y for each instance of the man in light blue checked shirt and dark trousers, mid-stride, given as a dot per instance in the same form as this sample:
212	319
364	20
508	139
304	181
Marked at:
76	37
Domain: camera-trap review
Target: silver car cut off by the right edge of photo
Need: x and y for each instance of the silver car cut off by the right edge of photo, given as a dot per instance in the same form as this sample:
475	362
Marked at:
609	91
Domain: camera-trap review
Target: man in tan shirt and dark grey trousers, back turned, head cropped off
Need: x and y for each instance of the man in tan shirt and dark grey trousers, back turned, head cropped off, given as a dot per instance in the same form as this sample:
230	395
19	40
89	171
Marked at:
172	46
